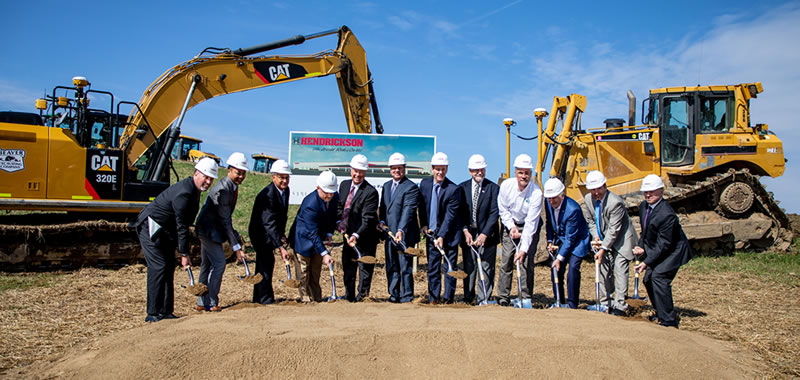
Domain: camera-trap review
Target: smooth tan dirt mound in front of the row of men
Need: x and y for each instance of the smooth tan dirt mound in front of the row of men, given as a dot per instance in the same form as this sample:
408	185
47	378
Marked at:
389	340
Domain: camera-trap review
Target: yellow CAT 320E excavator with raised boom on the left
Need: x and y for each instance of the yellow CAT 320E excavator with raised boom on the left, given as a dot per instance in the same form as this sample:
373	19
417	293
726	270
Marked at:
101	163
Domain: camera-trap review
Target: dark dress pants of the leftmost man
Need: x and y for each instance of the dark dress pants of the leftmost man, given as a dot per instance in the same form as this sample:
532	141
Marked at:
160	259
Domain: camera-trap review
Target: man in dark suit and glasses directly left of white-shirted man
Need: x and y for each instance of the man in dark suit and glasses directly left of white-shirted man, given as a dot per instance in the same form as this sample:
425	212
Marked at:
479	218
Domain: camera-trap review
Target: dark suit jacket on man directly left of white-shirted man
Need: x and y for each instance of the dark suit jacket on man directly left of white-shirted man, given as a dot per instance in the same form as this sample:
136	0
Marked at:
488	213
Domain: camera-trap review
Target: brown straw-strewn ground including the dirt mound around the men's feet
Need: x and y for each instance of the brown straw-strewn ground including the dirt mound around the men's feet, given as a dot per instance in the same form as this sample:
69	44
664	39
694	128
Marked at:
90	324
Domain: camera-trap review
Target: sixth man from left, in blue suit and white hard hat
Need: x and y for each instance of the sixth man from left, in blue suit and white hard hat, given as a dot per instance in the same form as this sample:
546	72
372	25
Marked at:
397	211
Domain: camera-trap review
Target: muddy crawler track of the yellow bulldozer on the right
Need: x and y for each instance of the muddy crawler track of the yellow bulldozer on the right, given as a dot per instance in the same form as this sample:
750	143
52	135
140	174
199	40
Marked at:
713	215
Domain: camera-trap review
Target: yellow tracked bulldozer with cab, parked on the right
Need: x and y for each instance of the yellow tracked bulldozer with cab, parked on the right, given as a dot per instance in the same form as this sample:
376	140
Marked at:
700	140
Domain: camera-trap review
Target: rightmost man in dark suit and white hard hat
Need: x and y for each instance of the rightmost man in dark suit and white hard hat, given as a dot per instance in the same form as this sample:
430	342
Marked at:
664	246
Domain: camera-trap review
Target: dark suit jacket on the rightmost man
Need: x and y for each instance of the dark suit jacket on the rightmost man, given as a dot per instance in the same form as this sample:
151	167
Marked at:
665	245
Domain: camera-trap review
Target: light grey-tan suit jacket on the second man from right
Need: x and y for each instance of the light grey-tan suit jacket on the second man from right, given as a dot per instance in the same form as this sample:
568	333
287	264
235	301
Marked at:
618	232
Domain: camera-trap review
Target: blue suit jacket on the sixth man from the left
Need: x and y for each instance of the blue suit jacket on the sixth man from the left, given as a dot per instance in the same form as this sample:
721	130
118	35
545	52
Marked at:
397	210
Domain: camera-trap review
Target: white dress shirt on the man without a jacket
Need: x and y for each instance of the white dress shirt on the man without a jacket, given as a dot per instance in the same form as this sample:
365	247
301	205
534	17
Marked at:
520	207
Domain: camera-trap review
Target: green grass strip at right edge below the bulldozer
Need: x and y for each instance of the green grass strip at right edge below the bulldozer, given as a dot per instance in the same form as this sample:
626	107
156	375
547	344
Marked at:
777	267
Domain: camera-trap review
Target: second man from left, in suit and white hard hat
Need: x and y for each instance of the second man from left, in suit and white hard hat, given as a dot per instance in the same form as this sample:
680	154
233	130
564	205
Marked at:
215	226
